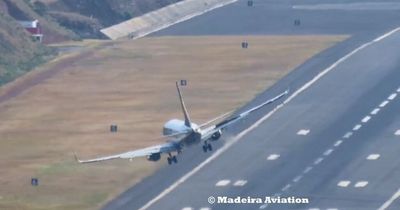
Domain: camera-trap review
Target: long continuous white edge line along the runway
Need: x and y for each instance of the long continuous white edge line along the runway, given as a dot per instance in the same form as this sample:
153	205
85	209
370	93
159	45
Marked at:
265	117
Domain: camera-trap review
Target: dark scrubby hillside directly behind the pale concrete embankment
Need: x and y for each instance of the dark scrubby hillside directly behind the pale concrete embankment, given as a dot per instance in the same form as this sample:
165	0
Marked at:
87	17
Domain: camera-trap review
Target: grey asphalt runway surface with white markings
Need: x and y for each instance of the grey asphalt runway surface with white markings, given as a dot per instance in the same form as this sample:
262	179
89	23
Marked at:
335	140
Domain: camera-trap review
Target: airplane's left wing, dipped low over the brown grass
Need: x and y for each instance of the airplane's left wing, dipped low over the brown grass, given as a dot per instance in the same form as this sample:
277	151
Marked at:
162	148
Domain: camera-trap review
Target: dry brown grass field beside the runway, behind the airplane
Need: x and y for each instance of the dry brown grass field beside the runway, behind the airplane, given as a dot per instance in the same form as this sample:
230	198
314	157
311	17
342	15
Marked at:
130	84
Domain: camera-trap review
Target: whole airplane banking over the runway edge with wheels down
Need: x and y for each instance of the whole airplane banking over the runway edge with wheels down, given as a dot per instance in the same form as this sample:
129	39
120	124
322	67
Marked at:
185	133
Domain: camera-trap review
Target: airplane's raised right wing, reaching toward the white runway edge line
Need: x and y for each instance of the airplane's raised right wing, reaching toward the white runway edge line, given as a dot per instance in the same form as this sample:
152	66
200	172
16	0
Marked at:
207	132
